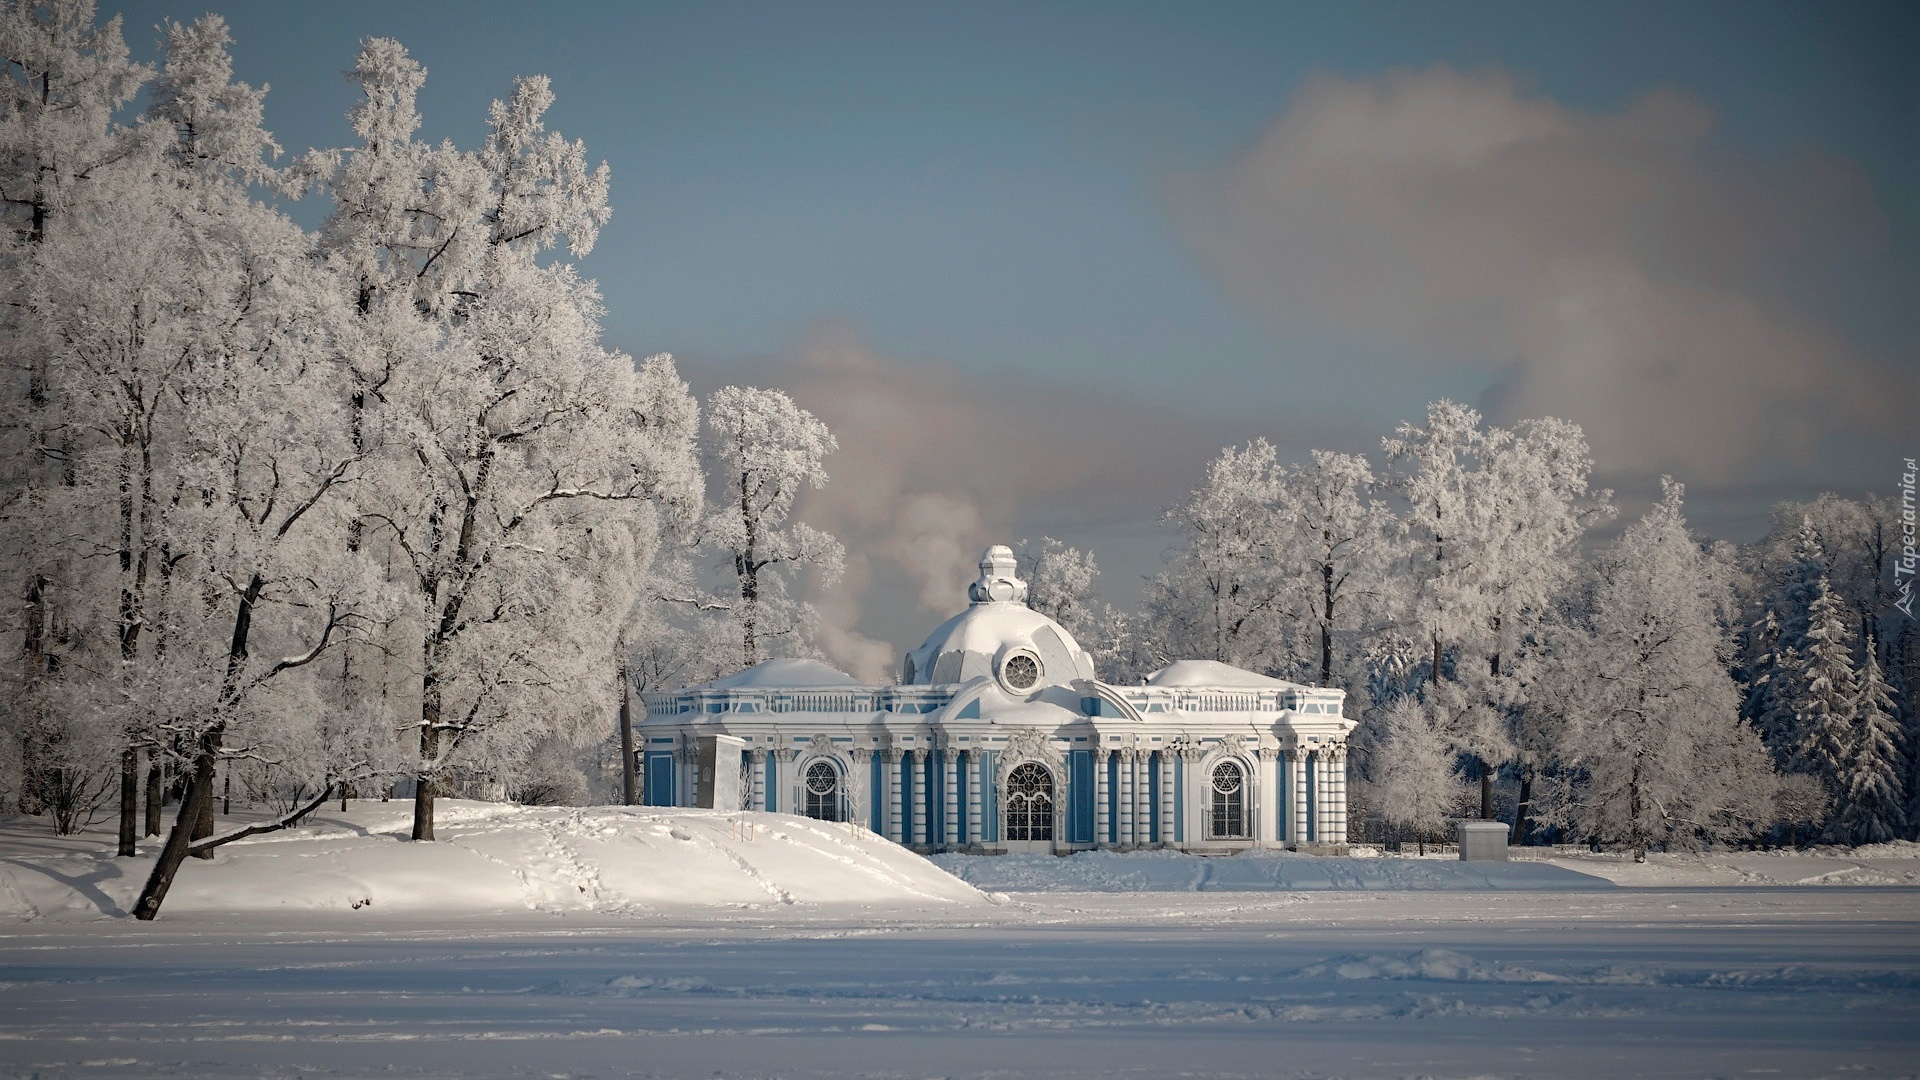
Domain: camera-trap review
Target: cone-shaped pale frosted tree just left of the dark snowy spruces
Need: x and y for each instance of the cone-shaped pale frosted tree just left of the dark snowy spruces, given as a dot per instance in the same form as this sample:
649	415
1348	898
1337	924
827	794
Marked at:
1654	749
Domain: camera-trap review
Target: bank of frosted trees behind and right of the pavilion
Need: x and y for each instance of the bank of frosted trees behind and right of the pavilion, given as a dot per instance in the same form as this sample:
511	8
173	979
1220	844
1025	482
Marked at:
1652	691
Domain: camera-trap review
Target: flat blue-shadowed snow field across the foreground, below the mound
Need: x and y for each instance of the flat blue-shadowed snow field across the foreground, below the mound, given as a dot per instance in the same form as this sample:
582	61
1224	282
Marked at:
1308	985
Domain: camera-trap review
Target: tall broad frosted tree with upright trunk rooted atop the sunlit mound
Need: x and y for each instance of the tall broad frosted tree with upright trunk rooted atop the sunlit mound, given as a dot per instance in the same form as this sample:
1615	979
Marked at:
510	445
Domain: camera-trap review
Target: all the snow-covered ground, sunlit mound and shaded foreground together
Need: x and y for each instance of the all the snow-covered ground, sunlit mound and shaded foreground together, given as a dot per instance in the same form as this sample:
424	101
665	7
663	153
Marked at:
631	943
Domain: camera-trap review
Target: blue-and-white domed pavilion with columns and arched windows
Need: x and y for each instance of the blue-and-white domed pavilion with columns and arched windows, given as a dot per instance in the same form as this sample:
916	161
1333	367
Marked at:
1001	739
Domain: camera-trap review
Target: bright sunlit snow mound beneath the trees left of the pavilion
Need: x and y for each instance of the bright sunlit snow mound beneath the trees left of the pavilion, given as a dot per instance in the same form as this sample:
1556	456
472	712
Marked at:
491	858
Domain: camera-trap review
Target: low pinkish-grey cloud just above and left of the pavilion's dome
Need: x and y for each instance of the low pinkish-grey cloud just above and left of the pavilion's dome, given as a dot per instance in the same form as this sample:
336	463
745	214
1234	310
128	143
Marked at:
936	462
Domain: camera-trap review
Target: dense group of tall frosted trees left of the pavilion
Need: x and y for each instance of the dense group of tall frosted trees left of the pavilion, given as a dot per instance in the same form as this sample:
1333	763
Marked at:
320	510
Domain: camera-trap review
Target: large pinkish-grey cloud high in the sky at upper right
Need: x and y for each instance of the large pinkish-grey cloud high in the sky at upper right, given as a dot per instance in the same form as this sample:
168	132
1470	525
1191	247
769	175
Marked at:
1606	268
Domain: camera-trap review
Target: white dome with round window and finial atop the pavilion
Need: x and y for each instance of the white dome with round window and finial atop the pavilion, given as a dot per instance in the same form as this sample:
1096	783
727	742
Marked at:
992	637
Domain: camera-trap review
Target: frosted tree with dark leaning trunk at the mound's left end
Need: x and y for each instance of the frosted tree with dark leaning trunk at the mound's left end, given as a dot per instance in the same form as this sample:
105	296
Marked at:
268	474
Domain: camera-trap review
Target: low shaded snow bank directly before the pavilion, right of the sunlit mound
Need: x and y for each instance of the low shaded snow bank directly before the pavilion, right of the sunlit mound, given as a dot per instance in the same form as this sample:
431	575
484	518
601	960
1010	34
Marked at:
1251	871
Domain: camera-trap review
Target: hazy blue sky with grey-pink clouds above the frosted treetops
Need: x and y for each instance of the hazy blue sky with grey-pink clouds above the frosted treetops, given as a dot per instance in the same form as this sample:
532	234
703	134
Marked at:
1122	216
